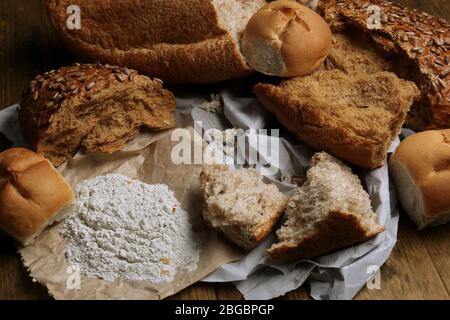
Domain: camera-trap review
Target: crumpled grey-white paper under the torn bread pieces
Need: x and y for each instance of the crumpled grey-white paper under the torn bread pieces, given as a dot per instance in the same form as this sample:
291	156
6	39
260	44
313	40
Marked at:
339	275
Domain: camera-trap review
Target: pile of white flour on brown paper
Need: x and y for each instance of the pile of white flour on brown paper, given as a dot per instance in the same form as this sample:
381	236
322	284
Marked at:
126	229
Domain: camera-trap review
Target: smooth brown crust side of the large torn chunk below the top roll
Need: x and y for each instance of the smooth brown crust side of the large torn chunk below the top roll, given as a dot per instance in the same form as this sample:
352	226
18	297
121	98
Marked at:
317	127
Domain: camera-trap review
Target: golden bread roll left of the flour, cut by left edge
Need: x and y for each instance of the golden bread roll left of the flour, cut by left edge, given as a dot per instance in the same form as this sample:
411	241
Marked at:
32	194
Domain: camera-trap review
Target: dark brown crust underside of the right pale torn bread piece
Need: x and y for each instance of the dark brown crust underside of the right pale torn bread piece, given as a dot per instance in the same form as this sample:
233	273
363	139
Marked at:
339	230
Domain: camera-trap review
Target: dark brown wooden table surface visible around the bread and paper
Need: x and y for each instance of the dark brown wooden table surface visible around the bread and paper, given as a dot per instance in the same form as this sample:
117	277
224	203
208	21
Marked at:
419	267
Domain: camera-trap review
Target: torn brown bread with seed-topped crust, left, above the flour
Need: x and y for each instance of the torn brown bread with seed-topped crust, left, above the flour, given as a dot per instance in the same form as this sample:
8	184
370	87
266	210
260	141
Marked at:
92	106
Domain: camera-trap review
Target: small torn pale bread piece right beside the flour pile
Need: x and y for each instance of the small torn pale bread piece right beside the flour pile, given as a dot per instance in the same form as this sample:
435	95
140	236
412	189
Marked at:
239	204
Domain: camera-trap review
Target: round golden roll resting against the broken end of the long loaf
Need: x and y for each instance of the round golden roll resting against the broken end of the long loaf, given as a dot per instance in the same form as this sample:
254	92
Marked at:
286	39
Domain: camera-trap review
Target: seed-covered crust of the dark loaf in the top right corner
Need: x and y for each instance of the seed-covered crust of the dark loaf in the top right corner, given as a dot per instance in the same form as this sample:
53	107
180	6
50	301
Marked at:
418	43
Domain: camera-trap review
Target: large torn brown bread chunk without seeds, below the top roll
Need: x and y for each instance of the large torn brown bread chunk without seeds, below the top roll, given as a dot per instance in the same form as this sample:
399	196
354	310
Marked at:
354	116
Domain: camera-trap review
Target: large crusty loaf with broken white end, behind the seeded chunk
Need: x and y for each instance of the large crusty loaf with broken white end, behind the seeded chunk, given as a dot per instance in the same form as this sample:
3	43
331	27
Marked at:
195	41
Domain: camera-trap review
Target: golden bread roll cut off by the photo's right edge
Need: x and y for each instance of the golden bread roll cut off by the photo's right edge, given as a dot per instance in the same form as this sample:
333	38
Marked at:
421	171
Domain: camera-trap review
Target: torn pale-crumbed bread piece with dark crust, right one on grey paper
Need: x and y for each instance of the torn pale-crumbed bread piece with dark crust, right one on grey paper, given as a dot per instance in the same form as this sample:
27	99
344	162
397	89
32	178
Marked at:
329	212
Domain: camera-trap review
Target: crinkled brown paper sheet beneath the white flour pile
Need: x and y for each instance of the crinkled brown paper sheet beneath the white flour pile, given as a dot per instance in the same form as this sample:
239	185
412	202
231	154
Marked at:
148	159
